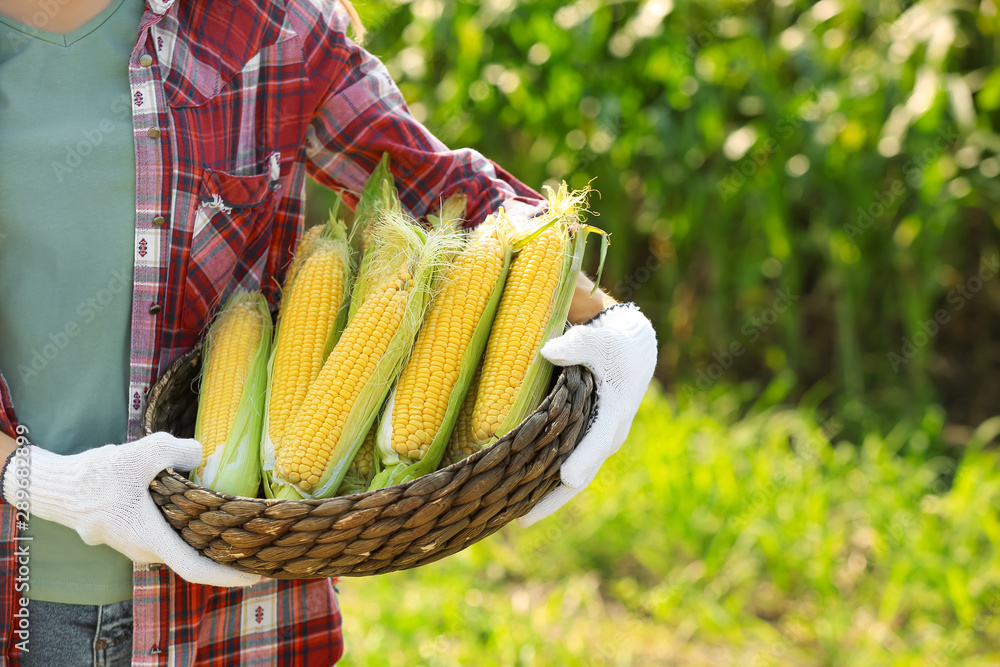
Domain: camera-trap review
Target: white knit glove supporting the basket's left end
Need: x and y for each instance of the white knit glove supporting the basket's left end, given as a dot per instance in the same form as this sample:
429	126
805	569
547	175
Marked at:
103	494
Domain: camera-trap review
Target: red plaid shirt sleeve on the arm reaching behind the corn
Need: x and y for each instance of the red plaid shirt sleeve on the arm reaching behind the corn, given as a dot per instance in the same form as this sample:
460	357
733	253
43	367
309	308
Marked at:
361	114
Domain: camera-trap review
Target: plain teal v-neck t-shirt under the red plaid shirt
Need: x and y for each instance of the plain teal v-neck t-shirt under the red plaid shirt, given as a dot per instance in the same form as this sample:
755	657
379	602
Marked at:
67	224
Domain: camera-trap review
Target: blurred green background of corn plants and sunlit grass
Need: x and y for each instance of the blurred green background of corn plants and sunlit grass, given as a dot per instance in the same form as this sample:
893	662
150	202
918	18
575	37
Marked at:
804	198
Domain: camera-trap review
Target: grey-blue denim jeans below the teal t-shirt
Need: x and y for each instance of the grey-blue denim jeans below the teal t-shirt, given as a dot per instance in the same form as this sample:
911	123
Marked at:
79	635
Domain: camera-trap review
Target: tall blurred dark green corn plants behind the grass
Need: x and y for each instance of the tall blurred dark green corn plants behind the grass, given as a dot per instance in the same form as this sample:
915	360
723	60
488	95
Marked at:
798	191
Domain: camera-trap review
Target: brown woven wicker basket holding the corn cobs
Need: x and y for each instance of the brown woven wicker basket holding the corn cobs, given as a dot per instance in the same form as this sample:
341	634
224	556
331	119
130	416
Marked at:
391	529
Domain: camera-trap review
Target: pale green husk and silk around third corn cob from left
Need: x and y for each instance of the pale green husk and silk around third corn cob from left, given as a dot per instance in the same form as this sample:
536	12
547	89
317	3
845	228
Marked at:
397	241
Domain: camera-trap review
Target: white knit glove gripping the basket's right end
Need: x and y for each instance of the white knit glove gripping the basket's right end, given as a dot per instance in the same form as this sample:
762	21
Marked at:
619	346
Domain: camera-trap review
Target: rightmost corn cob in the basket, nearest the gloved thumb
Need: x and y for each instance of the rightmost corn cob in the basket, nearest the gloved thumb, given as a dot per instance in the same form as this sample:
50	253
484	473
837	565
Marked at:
532	310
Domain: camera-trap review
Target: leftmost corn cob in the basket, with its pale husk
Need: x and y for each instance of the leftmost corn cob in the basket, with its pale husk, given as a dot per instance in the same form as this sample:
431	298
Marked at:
232	395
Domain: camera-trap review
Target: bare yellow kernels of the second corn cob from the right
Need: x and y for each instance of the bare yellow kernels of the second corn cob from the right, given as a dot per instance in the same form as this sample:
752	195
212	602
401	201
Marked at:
426	384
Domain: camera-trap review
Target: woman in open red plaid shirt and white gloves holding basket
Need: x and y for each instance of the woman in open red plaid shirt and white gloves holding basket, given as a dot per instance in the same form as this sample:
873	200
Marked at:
153	157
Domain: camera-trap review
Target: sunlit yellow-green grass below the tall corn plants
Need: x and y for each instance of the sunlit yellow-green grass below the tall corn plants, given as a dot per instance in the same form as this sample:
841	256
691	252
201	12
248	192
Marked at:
724	537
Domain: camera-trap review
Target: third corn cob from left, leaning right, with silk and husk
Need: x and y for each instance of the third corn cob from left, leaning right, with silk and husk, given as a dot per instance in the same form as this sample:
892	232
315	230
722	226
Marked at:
342	402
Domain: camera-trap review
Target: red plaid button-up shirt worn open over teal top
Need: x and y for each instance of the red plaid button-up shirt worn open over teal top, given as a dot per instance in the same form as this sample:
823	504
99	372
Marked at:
242	99
